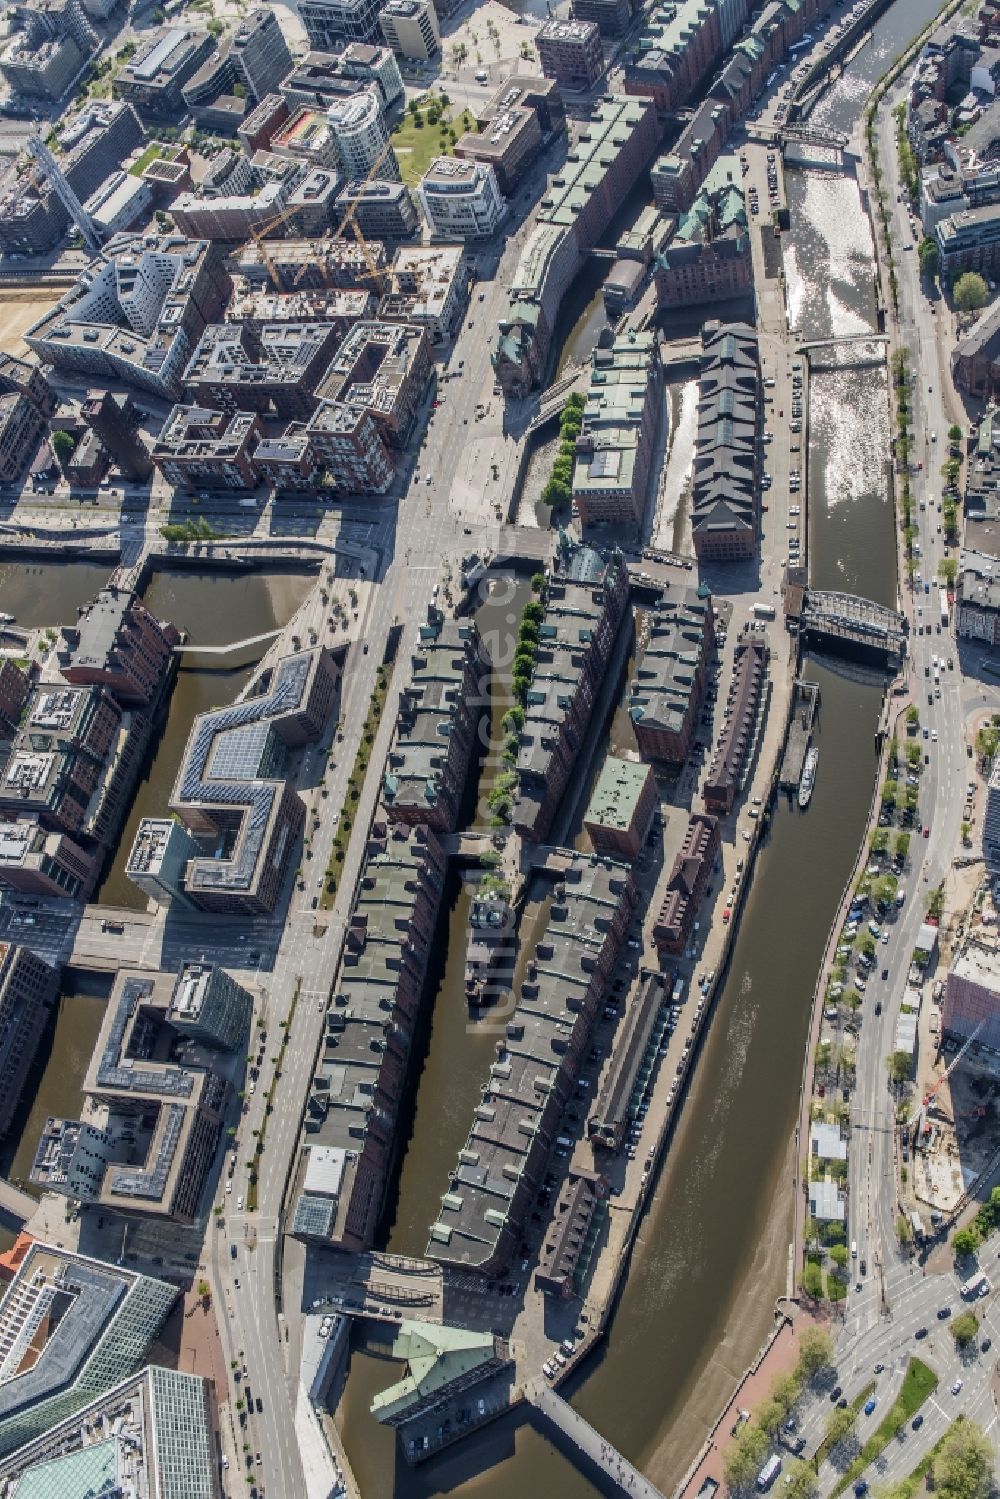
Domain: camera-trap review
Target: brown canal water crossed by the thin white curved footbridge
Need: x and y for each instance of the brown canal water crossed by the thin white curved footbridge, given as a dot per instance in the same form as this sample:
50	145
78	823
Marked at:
214	609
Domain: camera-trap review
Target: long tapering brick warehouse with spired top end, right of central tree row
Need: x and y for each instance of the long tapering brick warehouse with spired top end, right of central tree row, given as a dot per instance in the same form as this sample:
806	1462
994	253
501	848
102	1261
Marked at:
584	609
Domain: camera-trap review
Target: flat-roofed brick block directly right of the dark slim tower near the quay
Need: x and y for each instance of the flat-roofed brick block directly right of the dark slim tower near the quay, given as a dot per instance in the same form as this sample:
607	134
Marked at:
200	449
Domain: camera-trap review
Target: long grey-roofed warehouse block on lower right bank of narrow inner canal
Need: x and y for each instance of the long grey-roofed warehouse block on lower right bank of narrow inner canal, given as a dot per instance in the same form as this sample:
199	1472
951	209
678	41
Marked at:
503	1164
